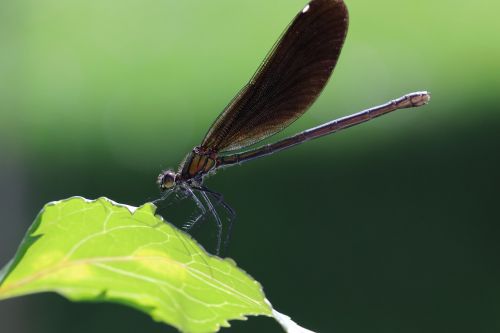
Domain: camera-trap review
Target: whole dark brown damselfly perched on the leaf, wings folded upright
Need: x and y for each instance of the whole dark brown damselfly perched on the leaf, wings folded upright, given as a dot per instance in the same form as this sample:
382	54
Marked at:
287	83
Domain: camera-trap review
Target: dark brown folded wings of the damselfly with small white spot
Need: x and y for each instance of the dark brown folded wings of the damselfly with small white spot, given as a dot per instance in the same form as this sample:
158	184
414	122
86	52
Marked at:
289	80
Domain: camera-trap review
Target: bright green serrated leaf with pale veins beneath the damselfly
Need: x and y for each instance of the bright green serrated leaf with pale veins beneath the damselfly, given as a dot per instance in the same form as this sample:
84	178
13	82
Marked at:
102	251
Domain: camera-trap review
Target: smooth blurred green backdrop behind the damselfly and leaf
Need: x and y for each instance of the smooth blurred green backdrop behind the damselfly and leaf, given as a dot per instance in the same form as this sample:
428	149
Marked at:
391	226
